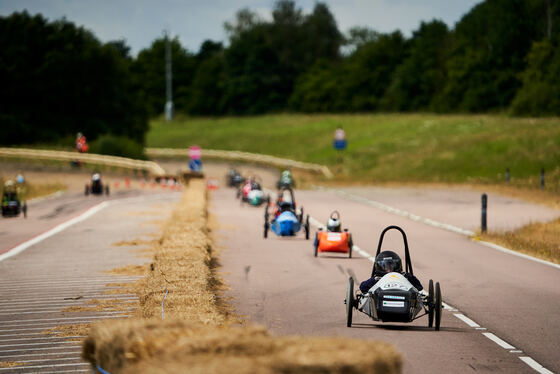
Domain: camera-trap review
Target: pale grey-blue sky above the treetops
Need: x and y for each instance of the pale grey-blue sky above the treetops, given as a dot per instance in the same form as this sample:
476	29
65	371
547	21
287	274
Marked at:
139	22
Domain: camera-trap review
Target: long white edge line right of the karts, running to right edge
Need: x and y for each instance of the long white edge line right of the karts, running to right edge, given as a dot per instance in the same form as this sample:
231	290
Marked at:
430	222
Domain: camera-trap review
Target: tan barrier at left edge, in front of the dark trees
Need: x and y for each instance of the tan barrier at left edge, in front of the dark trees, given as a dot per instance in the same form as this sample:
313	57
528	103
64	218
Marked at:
122	162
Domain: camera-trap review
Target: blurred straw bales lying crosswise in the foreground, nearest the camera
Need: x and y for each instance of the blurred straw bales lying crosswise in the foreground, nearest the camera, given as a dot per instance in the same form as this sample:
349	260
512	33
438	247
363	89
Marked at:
172	346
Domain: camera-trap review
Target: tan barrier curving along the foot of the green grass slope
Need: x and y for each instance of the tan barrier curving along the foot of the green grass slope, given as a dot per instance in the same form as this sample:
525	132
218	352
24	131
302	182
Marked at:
242	156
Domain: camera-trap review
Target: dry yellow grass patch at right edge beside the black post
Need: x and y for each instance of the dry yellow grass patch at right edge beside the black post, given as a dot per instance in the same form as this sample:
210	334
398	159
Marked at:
537	239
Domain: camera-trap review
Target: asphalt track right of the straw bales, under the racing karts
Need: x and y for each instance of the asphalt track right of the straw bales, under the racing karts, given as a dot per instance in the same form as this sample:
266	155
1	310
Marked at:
278	282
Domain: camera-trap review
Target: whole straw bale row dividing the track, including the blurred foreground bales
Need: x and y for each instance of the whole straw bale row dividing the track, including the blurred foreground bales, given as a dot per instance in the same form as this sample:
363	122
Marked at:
199	332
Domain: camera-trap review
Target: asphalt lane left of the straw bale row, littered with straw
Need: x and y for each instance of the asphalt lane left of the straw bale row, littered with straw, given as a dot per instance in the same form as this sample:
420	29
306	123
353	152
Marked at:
68	269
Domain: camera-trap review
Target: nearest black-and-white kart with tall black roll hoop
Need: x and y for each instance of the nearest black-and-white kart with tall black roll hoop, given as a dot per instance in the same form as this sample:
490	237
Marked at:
393	298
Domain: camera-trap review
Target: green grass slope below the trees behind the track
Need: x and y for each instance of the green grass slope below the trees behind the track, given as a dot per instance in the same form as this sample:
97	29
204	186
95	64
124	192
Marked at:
387	147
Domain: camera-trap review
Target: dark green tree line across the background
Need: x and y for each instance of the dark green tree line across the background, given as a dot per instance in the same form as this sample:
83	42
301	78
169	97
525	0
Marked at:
57	78
